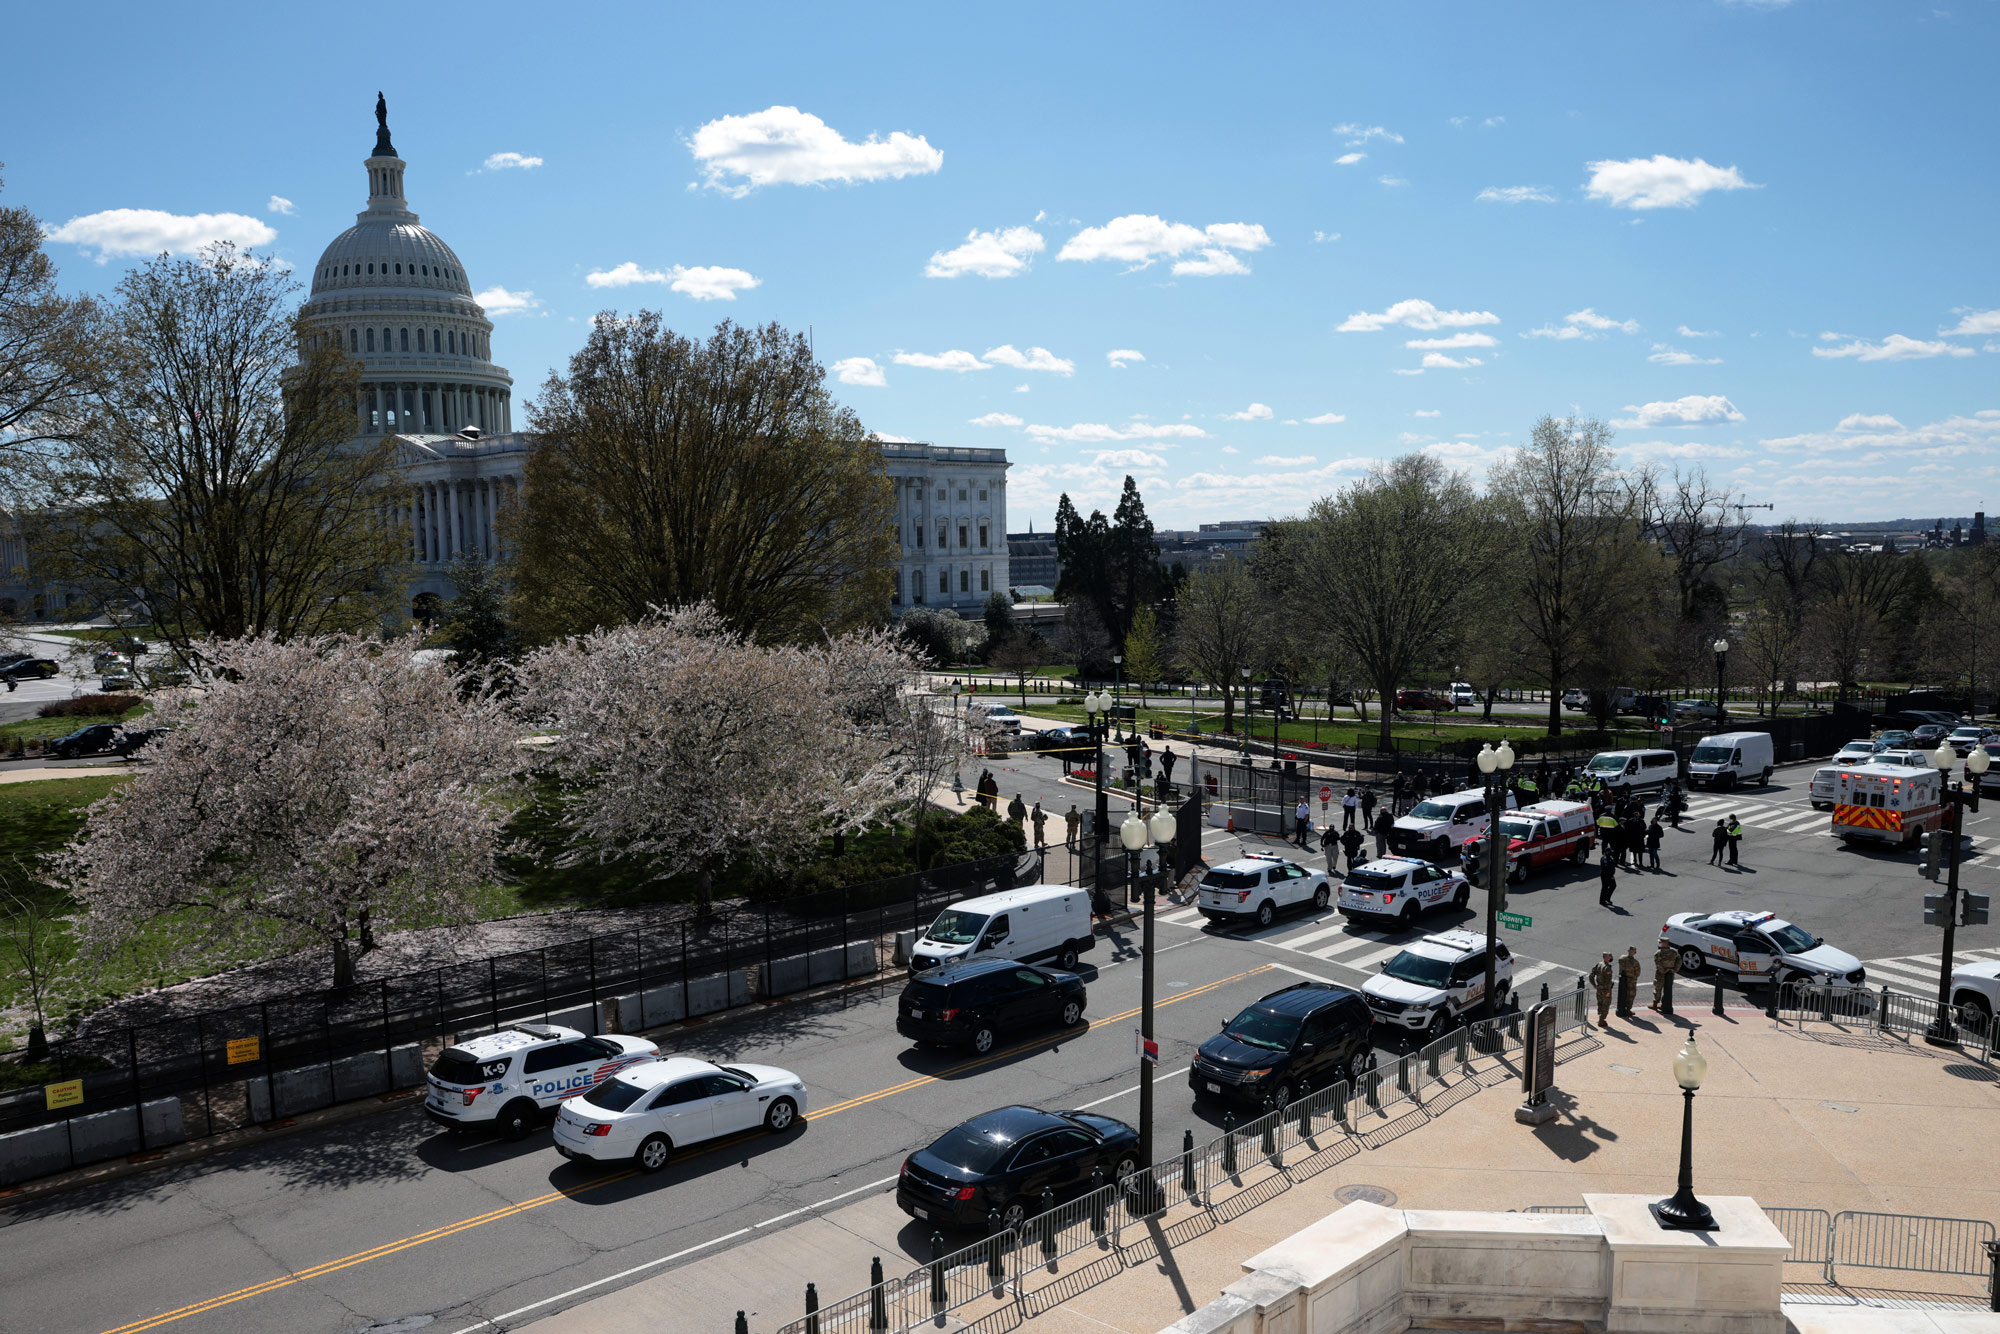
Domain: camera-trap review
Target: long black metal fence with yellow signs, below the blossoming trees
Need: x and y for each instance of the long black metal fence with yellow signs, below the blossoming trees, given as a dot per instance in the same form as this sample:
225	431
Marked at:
117	1091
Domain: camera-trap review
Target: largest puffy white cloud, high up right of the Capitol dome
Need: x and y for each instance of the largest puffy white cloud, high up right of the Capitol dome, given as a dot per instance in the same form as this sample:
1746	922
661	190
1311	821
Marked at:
787	147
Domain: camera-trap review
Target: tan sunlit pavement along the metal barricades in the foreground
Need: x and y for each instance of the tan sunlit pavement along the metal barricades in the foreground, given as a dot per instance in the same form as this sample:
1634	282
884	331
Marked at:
1813	1121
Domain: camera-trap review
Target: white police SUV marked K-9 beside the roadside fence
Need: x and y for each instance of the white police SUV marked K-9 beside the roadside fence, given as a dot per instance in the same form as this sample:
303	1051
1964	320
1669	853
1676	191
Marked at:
509	1079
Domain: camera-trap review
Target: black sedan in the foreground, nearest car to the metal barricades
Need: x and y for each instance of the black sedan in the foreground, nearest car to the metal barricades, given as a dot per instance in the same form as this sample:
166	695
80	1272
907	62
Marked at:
1005	1161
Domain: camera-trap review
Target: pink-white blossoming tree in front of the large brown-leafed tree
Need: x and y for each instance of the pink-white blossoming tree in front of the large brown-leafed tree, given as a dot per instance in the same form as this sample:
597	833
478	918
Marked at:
689	747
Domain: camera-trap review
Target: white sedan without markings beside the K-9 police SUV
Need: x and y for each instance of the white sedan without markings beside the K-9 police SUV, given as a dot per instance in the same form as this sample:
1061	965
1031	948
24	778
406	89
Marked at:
649	1111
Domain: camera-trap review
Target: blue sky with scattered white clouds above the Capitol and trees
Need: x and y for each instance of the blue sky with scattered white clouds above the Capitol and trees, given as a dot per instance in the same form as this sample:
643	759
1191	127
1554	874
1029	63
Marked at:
1757	237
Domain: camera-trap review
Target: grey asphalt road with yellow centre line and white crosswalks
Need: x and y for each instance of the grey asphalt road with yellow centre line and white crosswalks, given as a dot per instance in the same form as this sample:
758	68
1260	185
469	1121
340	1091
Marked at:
387	1221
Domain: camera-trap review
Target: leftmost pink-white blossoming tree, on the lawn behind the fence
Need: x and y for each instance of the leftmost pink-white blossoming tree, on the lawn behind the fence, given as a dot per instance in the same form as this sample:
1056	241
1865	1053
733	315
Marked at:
311	793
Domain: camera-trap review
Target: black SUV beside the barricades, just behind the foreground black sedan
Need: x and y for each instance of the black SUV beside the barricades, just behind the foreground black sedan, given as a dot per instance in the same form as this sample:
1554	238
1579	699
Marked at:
1297	1039
